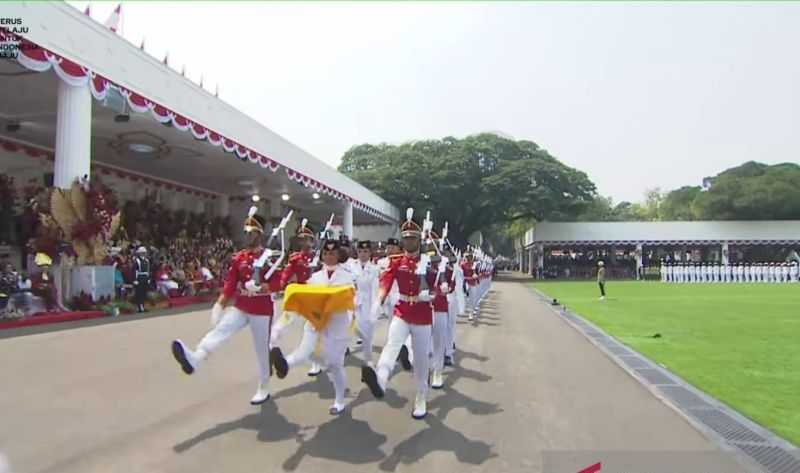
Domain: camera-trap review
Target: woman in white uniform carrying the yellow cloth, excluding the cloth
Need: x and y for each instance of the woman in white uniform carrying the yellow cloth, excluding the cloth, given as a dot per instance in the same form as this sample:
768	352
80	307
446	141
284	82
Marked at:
335	335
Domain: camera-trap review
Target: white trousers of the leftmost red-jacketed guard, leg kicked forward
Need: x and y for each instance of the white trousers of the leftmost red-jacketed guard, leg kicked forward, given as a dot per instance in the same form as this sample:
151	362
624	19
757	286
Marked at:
232	321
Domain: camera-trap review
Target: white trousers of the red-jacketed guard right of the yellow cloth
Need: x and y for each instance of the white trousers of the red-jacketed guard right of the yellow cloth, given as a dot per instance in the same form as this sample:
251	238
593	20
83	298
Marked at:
399	330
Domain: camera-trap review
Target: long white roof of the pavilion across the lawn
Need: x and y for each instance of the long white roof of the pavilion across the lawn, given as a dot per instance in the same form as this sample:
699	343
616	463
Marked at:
699	232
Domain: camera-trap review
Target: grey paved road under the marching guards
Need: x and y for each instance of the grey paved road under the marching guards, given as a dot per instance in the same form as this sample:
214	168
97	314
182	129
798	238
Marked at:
110	398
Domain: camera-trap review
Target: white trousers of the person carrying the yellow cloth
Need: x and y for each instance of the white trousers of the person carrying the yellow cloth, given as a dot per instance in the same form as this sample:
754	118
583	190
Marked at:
335	337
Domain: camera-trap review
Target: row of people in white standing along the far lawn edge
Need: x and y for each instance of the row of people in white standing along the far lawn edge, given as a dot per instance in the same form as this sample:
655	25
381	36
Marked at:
730	273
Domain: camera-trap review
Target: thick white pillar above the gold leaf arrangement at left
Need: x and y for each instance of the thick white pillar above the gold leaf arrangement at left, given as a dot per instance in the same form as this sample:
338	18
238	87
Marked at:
73	134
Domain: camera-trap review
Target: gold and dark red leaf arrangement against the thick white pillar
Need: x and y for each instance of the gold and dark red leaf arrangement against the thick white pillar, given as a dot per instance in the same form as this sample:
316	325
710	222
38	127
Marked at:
87	218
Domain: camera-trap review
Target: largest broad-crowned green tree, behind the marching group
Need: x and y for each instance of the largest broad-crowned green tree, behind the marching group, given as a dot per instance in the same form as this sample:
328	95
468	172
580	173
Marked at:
475	183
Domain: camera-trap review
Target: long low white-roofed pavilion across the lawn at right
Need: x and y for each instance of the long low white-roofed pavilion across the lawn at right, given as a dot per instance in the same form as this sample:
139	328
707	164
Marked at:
572	249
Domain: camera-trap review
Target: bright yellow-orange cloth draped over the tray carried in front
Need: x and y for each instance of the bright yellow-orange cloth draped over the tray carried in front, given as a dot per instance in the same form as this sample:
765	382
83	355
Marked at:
317	303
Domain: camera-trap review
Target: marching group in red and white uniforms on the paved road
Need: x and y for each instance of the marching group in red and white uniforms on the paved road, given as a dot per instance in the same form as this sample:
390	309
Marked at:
421	282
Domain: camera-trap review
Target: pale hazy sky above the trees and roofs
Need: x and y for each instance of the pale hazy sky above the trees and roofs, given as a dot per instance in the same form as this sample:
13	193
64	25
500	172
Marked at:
636	95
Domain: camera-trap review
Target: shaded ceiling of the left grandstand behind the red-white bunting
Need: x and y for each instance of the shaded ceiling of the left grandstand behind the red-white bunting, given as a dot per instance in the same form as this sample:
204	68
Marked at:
29	98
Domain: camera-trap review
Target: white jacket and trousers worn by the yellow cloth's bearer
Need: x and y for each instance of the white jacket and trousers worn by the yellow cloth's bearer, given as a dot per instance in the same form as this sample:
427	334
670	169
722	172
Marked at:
335	336
